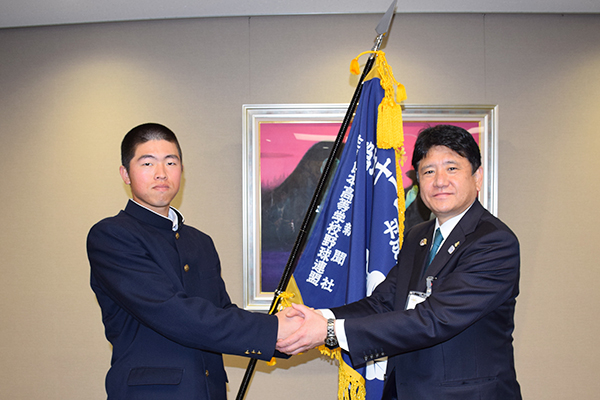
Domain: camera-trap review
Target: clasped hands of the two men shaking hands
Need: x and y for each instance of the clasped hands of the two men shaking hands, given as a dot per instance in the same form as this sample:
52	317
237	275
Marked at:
300	329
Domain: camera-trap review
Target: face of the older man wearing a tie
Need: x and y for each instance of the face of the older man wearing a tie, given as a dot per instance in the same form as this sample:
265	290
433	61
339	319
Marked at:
447	183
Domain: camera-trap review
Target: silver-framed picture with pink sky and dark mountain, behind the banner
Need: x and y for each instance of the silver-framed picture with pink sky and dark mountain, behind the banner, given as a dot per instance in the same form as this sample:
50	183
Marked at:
284	148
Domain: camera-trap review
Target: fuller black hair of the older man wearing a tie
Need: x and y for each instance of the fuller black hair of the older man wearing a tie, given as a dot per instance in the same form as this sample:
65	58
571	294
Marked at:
450	136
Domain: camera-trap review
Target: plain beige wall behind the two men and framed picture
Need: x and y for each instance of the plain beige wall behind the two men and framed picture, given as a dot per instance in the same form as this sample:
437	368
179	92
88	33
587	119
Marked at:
69	93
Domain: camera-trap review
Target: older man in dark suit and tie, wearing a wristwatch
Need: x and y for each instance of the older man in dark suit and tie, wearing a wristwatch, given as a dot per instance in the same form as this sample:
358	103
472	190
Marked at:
445	314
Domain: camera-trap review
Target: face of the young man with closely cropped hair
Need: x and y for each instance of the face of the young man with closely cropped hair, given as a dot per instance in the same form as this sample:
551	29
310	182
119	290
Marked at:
154	175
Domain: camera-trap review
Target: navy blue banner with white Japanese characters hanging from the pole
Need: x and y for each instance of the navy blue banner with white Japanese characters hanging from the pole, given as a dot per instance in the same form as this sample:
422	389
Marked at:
354	242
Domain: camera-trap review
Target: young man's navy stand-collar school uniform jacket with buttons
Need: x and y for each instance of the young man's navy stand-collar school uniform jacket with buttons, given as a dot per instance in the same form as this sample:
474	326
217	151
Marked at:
166	311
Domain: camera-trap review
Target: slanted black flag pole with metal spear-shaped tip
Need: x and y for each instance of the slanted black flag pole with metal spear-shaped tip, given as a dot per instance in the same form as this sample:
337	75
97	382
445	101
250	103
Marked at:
309	217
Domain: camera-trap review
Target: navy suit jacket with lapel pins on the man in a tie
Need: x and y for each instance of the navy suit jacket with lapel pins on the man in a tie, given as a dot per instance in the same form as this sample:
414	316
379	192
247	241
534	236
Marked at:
457	344
